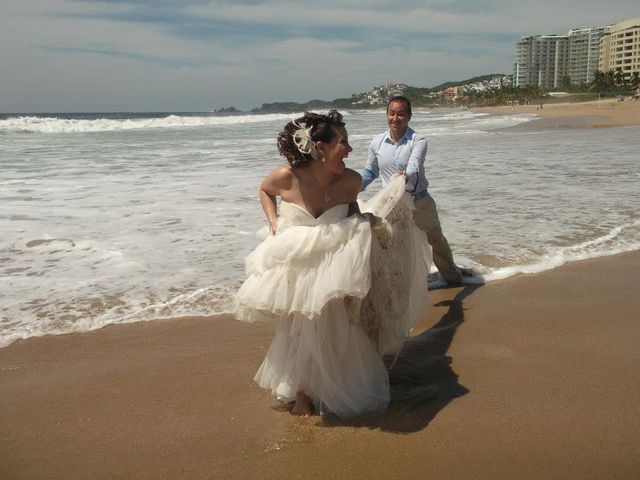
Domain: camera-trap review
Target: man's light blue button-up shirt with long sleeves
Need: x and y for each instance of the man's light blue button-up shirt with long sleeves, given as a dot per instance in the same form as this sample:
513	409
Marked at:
387	158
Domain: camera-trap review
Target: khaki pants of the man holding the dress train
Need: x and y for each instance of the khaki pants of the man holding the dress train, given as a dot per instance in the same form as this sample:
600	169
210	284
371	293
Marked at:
426	217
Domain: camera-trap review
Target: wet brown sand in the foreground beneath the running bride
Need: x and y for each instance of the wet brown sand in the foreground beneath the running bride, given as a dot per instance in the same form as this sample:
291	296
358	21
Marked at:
535	377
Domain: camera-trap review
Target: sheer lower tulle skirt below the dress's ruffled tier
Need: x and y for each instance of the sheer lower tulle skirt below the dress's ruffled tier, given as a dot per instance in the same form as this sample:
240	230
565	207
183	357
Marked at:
331	359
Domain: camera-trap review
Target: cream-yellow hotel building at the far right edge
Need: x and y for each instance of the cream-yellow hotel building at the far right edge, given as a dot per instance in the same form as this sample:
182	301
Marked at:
620	48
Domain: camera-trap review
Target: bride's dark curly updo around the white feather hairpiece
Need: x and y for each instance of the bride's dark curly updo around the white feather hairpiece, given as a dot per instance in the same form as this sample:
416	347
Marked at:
321	128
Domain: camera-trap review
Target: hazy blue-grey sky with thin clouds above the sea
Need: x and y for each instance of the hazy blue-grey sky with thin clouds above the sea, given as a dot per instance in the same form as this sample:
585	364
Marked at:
198	55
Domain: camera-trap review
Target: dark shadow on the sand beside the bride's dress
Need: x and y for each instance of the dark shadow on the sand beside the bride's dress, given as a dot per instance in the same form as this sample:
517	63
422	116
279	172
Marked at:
422	380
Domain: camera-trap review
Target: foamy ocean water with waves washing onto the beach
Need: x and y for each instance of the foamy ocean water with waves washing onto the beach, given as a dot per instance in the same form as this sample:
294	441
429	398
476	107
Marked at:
111	218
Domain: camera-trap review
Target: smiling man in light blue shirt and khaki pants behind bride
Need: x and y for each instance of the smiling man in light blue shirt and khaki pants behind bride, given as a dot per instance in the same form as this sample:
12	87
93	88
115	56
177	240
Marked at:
402	150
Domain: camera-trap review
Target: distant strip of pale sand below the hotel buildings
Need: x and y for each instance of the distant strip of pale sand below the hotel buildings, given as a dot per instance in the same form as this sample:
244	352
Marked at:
601	113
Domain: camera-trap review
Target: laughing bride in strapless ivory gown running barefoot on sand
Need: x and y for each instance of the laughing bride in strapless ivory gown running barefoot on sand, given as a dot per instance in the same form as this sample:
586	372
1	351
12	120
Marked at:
342	287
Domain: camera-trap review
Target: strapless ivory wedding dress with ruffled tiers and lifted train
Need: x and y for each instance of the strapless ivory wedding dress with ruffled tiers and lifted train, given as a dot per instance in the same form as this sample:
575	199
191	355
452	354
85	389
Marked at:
341	294
